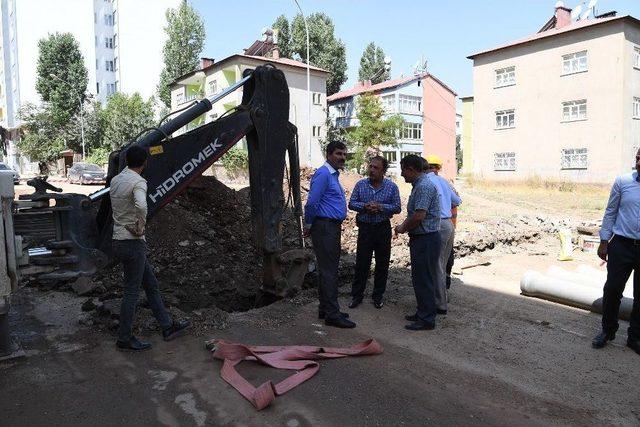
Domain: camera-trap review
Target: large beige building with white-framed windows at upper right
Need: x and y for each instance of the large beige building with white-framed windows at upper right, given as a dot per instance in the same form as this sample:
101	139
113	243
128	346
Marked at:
563	104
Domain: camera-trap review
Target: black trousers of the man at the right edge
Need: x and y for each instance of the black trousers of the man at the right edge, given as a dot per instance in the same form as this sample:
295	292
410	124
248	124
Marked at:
623	258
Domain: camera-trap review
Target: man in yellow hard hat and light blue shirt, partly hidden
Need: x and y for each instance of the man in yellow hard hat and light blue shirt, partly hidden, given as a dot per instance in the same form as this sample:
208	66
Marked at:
448	199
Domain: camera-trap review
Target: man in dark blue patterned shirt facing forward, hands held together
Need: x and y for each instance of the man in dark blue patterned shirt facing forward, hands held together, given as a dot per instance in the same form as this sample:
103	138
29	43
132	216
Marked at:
376	199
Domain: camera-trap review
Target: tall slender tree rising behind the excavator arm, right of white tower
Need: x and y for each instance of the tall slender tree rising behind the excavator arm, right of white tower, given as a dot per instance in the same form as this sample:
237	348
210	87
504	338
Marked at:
185	40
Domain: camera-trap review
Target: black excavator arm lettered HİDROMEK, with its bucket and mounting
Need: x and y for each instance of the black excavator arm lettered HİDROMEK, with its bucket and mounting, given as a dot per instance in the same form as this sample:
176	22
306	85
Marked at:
66	236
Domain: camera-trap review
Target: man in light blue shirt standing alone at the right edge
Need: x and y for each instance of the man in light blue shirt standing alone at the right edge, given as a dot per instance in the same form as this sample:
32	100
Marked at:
620	248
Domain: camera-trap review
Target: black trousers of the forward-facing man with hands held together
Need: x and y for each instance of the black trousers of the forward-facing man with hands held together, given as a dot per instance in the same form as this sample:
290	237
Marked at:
372	238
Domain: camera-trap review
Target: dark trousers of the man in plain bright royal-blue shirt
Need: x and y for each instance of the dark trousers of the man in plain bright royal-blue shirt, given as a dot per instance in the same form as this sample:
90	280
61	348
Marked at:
325	235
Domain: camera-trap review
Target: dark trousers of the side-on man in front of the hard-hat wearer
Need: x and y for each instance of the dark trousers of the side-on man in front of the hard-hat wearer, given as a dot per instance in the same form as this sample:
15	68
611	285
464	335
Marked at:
424	250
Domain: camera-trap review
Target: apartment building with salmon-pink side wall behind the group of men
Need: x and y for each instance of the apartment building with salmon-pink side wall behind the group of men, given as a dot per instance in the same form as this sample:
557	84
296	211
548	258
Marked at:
425	103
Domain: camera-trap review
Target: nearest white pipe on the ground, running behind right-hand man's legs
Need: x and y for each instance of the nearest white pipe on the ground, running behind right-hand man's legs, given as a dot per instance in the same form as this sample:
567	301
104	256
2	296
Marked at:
570	293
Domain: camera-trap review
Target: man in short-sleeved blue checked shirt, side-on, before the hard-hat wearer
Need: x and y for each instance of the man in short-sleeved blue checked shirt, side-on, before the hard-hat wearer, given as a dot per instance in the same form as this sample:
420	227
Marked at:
423	226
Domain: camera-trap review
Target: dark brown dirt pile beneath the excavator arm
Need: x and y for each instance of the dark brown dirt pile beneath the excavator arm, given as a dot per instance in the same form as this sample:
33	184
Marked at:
204	257
